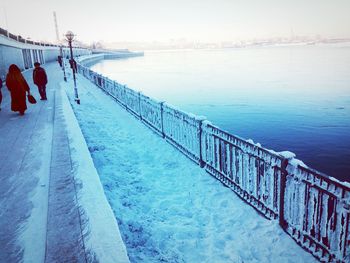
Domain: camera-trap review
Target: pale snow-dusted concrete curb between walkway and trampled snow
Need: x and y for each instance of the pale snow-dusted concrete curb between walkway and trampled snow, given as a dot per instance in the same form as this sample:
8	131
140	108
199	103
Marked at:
100	229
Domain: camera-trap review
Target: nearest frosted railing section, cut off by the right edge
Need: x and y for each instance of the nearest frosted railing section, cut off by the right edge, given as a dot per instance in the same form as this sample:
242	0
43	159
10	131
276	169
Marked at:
317	213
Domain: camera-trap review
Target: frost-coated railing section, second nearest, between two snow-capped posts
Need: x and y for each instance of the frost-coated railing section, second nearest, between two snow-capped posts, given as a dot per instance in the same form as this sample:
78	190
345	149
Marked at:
252	172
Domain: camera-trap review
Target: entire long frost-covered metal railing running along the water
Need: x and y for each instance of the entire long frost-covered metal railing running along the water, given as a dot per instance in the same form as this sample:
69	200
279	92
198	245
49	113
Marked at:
311	207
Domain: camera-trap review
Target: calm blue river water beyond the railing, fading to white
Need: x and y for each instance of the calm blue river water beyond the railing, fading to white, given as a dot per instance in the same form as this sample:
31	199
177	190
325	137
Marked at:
287	98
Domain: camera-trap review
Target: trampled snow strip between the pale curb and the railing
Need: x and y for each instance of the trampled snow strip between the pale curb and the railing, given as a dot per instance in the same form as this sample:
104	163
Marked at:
167	207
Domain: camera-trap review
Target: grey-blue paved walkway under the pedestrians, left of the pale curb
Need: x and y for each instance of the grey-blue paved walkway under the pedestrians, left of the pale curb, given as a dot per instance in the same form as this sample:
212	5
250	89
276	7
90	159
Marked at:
41	219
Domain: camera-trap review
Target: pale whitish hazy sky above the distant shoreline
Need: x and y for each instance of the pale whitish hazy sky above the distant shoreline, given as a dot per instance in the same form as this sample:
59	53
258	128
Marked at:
163	20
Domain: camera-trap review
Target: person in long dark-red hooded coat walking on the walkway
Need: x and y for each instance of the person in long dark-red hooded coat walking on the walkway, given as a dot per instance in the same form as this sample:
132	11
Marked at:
18	87
